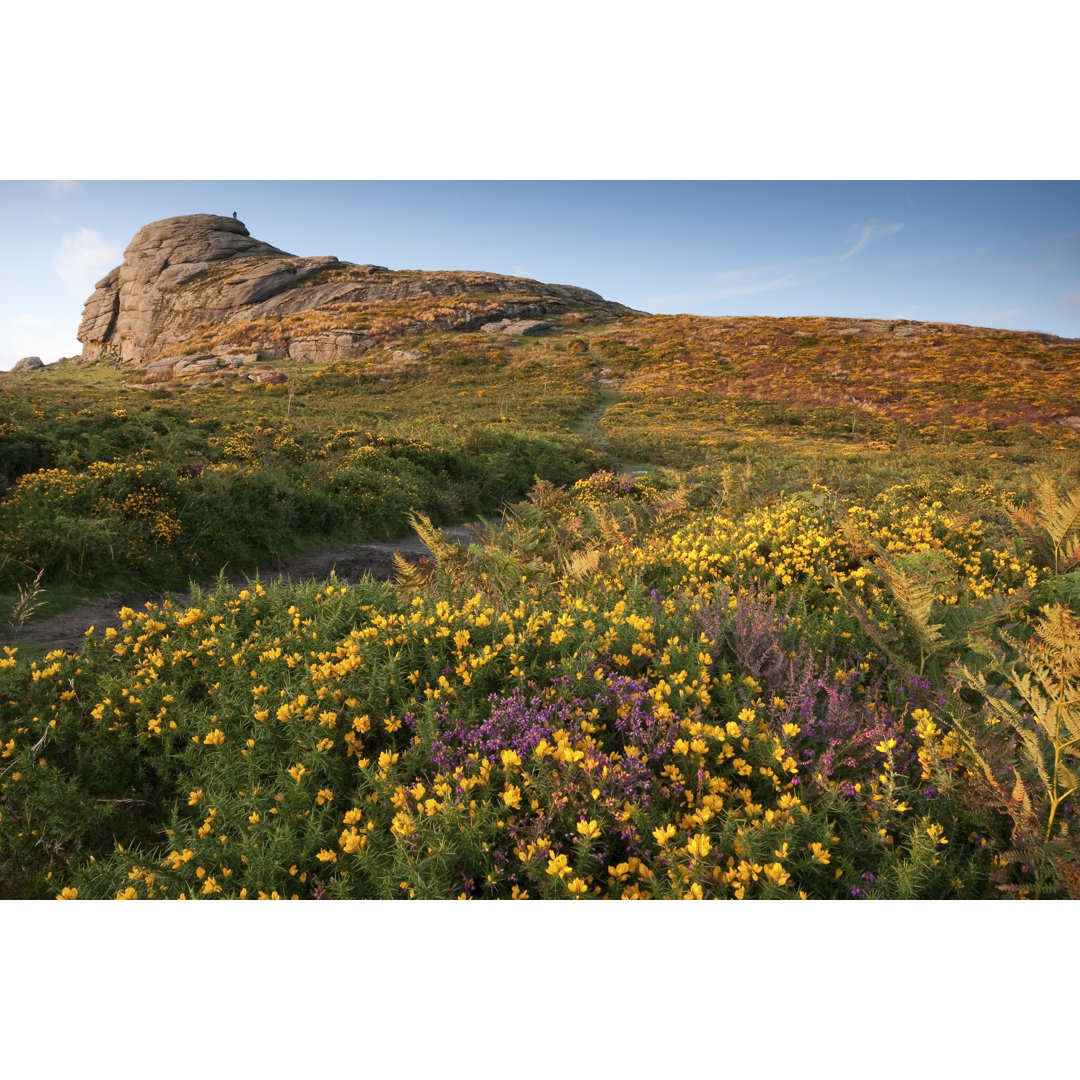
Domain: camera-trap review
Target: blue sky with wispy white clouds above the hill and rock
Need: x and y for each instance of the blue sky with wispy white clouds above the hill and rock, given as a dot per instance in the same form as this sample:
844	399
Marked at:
1004	254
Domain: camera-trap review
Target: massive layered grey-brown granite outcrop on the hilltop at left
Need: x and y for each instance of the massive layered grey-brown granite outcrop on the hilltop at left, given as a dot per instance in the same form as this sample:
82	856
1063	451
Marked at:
192	276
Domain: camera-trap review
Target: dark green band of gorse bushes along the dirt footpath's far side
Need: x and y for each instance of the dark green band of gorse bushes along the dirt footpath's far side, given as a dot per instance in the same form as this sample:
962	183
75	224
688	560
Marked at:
164	520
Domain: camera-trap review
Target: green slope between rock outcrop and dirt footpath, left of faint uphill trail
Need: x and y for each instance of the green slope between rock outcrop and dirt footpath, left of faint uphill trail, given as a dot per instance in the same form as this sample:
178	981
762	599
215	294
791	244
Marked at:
104	483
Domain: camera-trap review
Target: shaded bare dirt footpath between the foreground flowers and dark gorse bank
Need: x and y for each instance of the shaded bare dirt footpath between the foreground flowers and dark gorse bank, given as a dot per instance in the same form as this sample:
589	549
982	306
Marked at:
376	559
